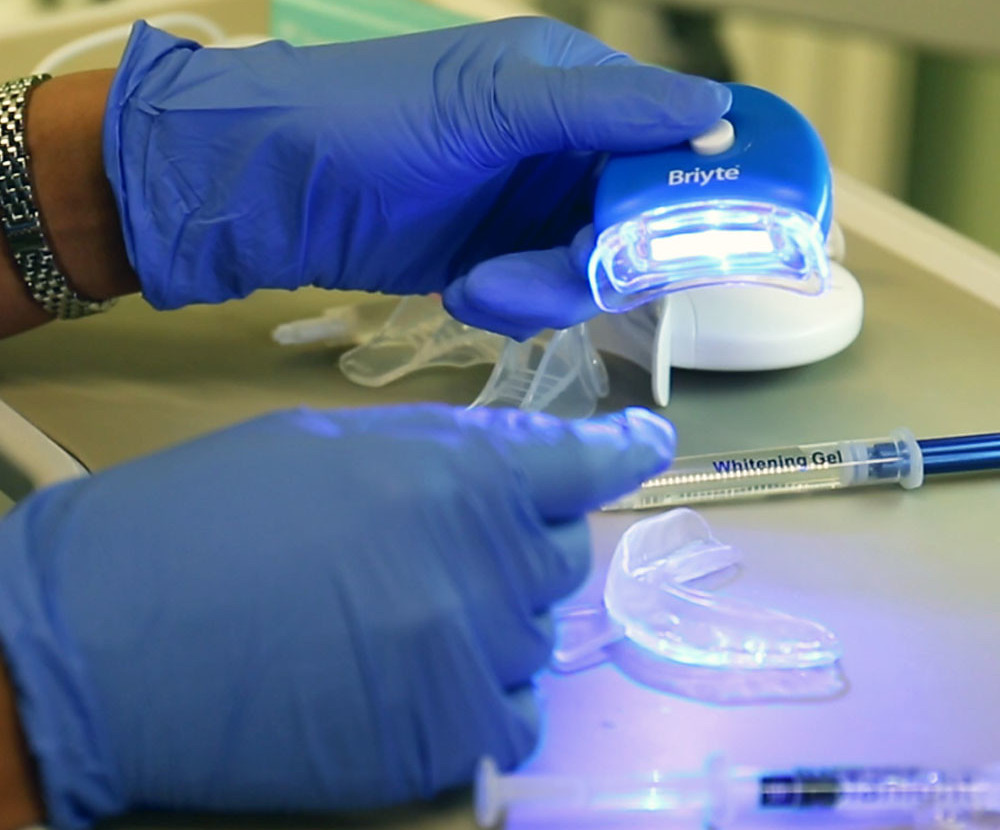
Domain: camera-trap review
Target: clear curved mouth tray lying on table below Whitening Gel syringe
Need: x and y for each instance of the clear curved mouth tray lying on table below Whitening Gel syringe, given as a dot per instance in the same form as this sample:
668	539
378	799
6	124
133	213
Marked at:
649	600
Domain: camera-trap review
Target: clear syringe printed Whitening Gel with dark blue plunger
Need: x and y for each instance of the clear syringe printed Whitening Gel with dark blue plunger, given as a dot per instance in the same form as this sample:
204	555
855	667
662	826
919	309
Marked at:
898	458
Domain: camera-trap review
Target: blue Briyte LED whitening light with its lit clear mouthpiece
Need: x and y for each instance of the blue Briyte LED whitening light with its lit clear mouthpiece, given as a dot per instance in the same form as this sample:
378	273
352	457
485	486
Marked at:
747	202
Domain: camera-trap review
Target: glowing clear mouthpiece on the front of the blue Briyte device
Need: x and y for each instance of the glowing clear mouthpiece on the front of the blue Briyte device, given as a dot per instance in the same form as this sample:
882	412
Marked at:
716	242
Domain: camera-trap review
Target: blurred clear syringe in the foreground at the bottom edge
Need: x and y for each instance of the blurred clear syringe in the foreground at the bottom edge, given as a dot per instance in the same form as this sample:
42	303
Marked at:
719	795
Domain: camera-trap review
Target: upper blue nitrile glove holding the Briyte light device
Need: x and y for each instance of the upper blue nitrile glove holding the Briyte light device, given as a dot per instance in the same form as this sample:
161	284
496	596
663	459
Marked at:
405	165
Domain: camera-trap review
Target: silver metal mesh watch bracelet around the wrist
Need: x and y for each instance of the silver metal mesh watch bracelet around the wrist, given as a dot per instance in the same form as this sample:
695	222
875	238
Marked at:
20	218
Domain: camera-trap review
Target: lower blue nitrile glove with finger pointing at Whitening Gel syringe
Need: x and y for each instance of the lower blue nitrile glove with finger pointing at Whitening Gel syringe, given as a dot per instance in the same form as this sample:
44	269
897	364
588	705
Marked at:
309	611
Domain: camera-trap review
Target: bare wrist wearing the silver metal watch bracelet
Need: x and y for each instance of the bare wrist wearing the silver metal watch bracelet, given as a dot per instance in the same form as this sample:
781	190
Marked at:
61	248
